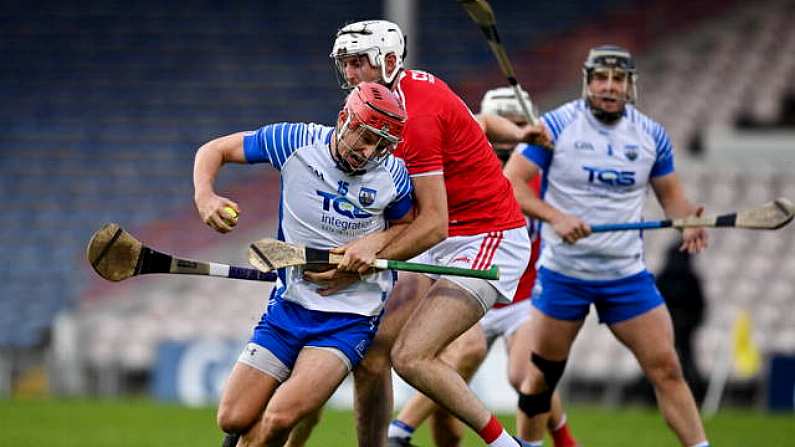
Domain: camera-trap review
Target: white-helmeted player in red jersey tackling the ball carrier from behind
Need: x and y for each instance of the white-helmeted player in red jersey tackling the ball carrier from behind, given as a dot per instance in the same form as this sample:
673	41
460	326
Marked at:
467	217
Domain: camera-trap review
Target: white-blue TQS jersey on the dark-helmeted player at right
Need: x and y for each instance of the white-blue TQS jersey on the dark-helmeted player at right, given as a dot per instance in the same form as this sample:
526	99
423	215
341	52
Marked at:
600	174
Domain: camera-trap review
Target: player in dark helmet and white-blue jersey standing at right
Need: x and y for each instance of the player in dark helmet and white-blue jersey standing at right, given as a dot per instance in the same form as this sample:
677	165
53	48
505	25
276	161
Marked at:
606	155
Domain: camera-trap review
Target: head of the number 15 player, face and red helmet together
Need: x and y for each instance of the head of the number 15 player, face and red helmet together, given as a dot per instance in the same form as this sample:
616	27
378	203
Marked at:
374	121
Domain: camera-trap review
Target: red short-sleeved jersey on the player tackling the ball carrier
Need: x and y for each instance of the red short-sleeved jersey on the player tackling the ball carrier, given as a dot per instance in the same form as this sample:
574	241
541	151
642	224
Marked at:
442	136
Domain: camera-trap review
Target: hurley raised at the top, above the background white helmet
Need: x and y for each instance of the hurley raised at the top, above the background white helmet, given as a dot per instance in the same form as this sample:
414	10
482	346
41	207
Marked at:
481	13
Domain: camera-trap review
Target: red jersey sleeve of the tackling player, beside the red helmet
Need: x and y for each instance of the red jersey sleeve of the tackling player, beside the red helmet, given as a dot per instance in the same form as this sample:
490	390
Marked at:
422	148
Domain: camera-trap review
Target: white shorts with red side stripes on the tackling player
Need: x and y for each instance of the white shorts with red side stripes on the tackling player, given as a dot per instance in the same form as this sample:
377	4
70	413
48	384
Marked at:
509	250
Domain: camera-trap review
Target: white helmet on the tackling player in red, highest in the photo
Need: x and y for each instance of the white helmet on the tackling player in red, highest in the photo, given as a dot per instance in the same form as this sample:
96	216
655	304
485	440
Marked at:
376	39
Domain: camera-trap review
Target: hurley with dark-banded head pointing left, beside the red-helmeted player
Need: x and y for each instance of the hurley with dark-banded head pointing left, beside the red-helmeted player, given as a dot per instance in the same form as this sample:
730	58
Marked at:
117	255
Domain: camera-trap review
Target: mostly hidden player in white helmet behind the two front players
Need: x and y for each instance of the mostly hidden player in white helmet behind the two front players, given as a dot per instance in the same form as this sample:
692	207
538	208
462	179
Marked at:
509	321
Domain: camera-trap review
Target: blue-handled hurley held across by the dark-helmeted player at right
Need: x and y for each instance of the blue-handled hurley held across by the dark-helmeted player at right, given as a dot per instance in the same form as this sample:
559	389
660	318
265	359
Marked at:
770	216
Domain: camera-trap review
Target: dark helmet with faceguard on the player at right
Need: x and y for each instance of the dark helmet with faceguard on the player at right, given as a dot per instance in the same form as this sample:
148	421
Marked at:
609	61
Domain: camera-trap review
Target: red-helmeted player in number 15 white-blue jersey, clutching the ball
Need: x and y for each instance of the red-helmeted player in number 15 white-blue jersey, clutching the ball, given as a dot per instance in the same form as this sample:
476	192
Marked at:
339	184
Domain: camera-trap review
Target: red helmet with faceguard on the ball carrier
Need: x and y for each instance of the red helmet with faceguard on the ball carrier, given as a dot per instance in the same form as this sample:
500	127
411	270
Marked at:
372	108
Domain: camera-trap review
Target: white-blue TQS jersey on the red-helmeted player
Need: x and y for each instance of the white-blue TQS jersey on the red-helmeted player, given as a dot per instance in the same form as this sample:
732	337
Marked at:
323	207
